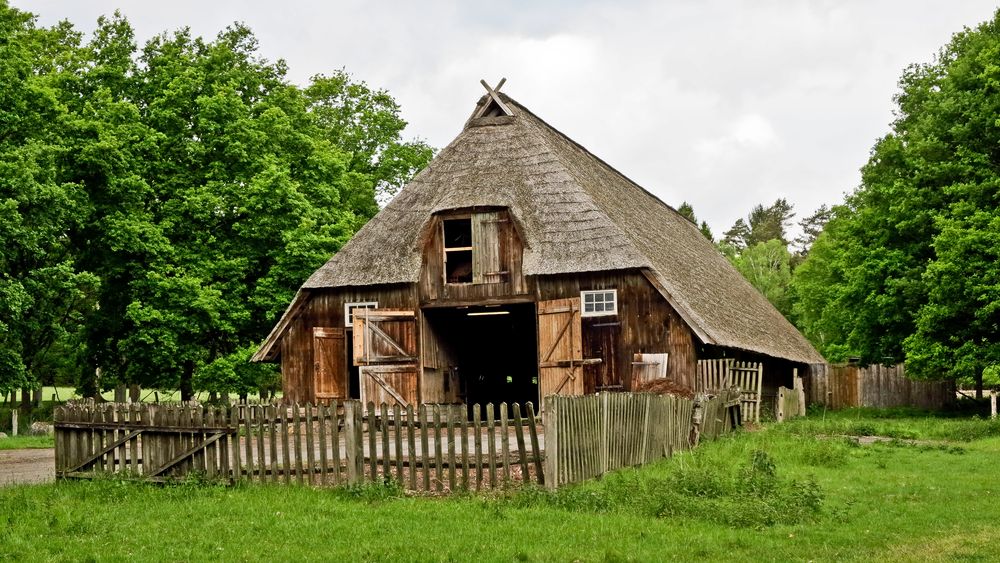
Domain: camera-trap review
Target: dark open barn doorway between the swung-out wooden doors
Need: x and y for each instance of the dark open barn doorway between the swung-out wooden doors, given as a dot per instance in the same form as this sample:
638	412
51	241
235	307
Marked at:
489	352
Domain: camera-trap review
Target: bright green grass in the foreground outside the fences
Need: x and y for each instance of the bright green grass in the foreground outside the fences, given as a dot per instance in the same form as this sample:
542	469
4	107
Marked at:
799	491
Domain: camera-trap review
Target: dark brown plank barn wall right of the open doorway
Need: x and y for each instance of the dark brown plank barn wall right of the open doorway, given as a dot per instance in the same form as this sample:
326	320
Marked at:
645	323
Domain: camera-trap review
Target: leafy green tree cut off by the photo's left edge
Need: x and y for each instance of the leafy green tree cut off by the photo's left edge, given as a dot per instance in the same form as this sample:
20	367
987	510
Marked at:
42	289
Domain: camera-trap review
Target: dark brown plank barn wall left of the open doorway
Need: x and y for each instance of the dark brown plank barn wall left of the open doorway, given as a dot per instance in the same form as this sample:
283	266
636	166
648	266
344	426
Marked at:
326	309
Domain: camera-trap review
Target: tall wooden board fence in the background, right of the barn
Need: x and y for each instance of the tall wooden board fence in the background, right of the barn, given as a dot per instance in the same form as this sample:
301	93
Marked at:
848	385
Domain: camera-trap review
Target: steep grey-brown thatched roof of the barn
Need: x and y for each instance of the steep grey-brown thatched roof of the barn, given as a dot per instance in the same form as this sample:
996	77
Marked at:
576	214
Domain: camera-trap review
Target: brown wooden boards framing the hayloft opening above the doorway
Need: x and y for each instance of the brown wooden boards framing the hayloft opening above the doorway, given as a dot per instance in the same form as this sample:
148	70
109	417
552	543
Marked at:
433	288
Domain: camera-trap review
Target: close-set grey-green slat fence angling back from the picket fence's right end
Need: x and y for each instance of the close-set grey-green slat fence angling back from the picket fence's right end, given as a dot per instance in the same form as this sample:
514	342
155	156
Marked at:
587	436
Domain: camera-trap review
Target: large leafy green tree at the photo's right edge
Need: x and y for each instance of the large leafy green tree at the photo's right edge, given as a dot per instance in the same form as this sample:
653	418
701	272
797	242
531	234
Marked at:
911	256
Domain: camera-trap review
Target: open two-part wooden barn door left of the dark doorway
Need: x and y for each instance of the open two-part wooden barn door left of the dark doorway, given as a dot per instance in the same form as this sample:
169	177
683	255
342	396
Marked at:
385	348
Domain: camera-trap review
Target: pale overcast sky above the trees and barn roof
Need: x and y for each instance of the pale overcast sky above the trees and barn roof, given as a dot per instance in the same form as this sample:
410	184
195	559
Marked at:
724	104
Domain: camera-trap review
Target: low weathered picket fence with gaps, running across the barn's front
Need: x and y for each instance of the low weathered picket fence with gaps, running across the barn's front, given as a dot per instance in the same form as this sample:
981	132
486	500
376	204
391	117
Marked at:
430	448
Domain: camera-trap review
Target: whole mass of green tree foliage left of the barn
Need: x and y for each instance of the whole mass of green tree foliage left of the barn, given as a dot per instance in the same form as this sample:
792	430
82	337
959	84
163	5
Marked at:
159	205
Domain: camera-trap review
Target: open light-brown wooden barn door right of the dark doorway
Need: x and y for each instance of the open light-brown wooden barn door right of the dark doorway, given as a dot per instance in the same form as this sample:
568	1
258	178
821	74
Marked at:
560	348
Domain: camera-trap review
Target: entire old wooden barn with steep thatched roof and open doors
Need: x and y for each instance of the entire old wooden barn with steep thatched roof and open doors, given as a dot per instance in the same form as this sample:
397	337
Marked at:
518	265
